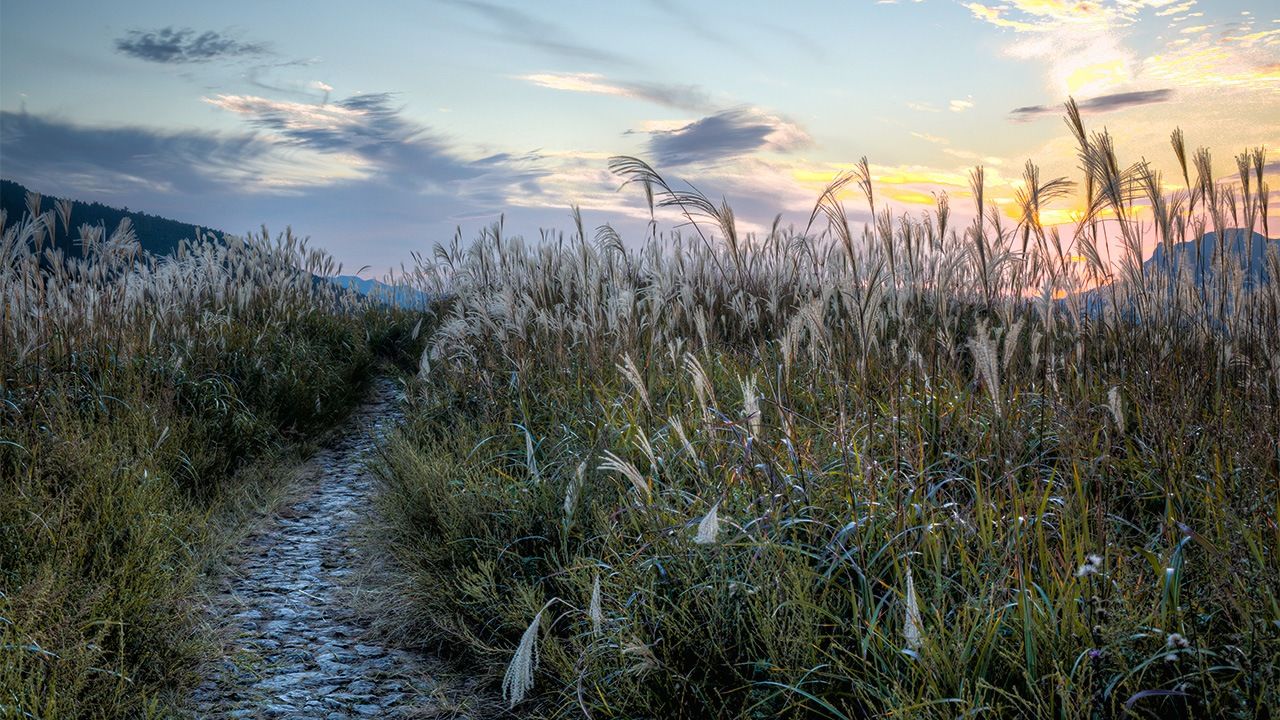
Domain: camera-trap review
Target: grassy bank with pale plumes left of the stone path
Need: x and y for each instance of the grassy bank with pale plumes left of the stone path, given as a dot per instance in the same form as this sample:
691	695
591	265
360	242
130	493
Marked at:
143	403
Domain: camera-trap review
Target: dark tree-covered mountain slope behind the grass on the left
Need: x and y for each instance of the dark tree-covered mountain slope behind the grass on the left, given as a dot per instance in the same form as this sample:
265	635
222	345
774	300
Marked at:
159	236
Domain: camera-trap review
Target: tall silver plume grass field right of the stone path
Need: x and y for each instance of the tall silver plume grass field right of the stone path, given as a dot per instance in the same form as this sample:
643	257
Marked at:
912	470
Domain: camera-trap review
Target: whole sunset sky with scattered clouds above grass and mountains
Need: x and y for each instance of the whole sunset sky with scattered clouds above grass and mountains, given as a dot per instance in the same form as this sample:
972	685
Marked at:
380	130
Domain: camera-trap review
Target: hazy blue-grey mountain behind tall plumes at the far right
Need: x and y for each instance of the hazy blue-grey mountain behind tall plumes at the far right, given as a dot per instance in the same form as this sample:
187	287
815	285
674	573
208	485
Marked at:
1204	259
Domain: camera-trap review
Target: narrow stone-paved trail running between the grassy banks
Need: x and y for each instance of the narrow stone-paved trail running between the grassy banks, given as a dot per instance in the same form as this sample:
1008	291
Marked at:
299	650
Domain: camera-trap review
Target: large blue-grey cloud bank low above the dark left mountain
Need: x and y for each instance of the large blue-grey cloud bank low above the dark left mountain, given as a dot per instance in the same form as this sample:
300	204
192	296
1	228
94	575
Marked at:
333	175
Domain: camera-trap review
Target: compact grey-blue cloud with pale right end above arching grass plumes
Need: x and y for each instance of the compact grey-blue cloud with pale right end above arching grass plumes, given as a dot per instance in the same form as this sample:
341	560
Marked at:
725	135
